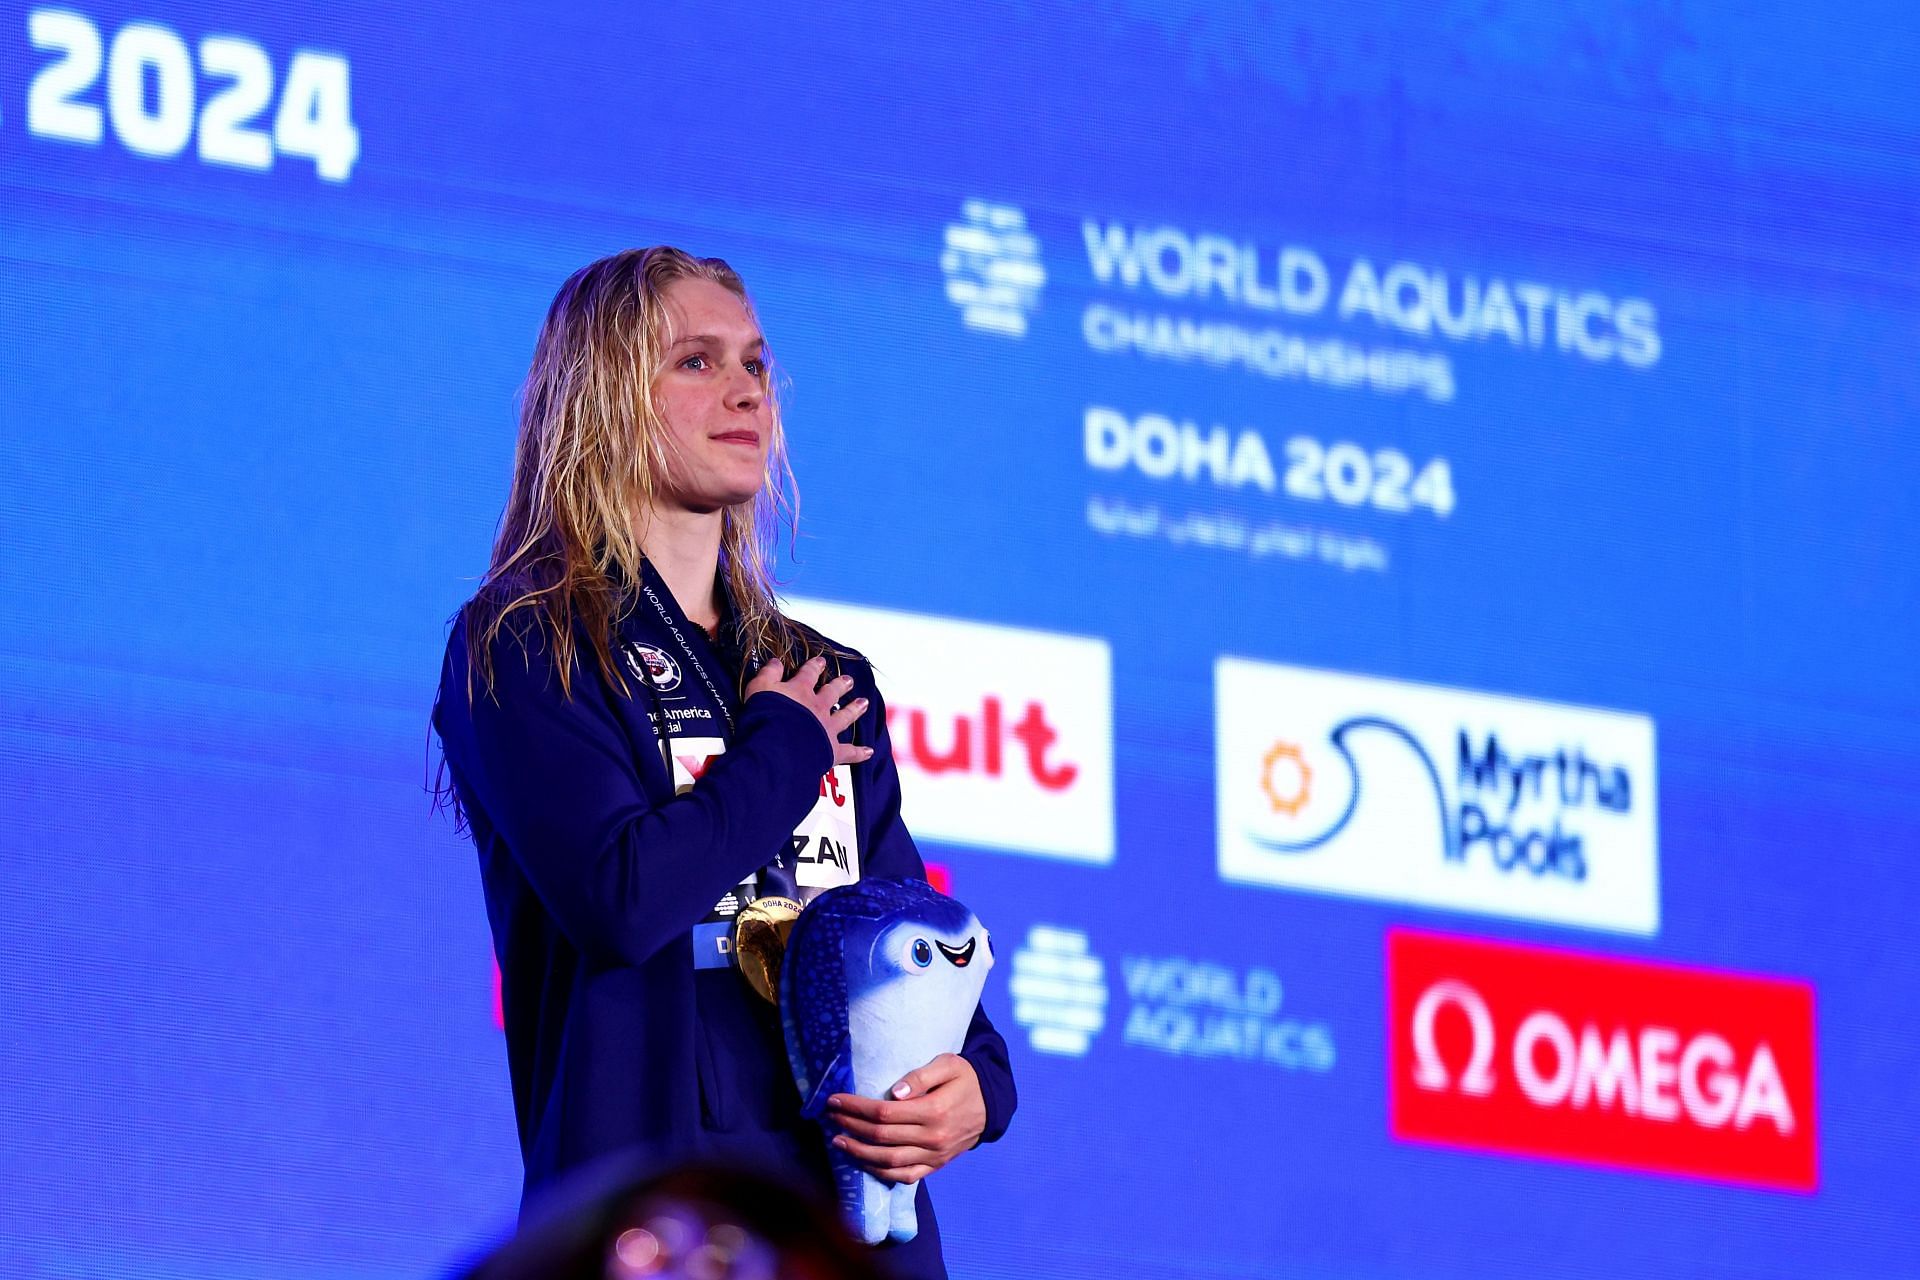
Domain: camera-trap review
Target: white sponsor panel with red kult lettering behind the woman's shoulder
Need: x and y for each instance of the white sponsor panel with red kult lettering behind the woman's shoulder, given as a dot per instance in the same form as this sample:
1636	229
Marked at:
1003	736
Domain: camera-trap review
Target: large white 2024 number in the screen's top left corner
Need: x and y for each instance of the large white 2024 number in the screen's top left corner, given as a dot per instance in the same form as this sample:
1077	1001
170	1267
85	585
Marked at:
314	118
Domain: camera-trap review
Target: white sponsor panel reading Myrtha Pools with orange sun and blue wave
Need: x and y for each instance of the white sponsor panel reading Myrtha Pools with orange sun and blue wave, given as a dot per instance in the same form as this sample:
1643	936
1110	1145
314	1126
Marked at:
1441	797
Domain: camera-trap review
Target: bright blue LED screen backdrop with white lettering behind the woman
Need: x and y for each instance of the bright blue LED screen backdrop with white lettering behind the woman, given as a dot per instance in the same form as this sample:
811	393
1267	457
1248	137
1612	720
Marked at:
274	275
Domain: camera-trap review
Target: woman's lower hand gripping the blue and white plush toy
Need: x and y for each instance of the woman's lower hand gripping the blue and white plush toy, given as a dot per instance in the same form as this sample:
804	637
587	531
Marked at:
926	1120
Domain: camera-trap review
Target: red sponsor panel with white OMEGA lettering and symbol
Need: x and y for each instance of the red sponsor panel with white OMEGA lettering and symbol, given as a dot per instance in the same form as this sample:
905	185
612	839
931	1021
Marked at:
1533	1051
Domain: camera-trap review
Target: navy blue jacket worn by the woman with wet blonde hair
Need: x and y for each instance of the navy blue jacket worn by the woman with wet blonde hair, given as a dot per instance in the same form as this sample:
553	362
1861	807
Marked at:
594	876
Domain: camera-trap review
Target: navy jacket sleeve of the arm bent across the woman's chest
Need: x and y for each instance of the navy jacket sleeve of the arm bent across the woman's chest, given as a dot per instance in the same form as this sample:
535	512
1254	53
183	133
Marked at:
558	780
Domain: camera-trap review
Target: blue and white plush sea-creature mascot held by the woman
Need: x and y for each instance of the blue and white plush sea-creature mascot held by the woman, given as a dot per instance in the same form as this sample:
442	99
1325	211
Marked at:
880	978
